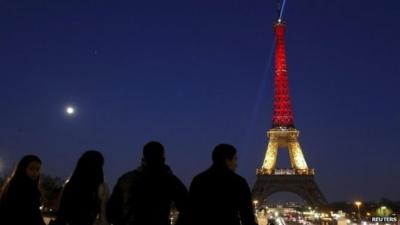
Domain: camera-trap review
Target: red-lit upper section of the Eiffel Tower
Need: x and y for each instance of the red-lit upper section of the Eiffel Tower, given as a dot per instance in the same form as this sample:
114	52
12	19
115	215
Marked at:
282	113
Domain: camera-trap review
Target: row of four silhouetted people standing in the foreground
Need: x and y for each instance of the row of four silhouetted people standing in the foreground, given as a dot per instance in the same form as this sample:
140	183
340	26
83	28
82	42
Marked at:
143	196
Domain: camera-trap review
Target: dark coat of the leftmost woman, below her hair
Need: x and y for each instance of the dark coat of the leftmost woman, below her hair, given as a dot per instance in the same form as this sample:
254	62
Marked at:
19	204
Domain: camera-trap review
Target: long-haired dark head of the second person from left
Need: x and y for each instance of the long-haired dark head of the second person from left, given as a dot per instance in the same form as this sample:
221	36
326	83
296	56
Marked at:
89	169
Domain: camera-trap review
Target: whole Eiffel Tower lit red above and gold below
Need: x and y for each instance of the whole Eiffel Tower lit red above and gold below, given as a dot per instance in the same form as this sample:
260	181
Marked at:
299	179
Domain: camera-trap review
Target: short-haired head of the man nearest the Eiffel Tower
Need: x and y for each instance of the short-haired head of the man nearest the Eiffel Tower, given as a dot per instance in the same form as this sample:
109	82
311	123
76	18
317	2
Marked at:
225	155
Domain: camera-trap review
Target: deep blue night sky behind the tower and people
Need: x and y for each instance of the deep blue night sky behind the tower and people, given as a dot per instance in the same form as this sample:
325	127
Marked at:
192	74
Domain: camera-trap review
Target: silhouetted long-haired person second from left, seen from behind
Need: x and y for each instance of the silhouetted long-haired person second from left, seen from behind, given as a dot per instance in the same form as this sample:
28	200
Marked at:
83	193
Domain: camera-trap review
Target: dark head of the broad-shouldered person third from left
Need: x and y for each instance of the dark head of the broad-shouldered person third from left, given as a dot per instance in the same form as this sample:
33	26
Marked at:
153	154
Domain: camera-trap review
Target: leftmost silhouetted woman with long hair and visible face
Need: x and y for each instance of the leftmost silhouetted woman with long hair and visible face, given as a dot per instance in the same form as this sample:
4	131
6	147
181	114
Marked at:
21	198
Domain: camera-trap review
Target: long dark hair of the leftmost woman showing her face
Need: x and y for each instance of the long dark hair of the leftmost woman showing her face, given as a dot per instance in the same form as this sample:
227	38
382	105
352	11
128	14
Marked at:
19	176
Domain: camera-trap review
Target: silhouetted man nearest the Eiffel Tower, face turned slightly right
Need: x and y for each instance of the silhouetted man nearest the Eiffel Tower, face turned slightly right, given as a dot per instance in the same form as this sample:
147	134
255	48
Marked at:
220	196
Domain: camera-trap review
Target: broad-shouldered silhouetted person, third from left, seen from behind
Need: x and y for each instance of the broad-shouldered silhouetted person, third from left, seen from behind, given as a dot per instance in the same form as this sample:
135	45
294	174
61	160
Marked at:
144	196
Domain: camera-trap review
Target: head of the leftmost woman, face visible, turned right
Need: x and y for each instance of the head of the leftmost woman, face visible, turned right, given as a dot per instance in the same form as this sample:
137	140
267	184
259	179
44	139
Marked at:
28	167
